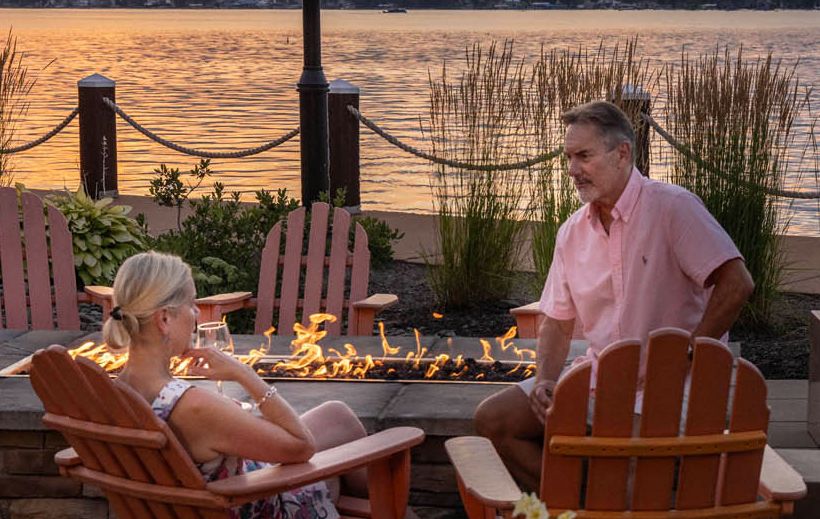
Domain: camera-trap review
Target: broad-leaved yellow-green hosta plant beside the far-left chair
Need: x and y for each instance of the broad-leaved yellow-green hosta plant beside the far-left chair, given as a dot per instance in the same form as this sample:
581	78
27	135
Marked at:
102	233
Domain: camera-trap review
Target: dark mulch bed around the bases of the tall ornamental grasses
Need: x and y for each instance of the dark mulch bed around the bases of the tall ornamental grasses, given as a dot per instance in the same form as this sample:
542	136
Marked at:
781	352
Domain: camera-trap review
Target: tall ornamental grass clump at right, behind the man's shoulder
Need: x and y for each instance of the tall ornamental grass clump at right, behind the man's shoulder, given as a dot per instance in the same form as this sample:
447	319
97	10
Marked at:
734	120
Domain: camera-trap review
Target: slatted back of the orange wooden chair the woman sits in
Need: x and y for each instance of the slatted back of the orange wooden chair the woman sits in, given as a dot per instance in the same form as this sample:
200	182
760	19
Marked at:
123	446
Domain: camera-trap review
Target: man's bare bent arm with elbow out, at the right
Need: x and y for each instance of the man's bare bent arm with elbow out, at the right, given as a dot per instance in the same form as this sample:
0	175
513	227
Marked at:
732	287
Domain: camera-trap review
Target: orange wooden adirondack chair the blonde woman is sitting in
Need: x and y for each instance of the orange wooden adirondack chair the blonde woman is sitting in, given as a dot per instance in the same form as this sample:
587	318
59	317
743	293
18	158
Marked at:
119	445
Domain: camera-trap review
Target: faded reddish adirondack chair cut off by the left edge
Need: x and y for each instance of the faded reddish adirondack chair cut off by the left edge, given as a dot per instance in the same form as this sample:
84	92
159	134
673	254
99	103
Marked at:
37	266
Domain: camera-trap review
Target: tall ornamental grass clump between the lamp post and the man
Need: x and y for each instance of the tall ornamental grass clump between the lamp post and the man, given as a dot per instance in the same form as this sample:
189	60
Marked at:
478	119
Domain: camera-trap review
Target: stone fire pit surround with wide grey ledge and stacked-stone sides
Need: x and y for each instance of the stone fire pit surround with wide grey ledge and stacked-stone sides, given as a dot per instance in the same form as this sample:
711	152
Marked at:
30	486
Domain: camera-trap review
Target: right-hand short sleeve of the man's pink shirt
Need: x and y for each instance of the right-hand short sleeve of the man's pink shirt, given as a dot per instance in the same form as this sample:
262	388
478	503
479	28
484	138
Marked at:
699	242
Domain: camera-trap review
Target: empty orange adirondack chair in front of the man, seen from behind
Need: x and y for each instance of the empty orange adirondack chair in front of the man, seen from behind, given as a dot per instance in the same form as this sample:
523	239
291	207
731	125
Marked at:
654	472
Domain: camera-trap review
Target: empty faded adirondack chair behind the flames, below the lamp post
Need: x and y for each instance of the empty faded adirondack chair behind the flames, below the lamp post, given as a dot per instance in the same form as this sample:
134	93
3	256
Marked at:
335	279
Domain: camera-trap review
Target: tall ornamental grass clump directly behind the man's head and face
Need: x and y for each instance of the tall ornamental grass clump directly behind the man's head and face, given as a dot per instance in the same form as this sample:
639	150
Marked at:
563	79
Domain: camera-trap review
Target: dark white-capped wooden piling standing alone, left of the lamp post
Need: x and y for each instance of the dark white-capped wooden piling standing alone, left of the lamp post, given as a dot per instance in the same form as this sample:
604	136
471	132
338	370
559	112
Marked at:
98	136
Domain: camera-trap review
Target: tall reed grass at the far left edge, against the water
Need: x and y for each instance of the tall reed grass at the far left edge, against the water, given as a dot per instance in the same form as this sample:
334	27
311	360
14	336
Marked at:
15	85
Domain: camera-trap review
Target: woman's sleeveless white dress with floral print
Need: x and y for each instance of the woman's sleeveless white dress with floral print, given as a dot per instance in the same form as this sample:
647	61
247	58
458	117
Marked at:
309	502
